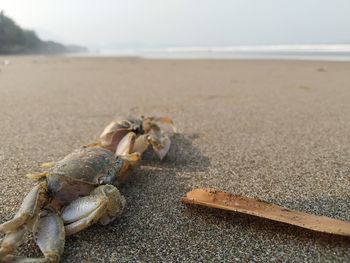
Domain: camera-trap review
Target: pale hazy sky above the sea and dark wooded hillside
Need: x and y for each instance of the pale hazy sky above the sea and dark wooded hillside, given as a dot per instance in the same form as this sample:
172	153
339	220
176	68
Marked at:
104	23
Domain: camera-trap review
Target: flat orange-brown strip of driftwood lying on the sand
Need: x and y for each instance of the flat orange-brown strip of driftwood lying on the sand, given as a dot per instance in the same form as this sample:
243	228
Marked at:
251	206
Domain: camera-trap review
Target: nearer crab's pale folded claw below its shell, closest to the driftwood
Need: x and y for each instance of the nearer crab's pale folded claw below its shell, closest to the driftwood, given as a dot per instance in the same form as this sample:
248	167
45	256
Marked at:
103	205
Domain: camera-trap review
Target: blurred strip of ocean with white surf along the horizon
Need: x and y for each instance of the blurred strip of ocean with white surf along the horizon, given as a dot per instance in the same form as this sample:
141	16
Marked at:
294	52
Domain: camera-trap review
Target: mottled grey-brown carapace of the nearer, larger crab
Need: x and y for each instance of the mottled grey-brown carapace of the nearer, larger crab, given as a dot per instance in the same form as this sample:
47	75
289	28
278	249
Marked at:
80	172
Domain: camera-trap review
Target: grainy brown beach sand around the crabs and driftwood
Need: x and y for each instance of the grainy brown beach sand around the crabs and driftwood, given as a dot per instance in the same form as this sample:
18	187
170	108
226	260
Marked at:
274	130
